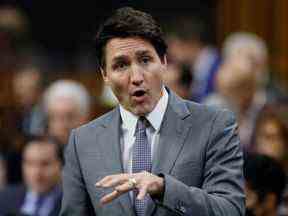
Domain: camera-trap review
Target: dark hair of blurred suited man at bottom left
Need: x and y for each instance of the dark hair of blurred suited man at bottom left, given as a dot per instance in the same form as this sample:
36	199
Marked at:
47	140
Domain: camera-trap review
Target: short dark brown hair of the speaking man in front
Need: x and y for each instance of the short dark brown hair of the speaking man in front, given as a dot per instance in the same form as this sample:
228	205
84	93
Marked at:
128	22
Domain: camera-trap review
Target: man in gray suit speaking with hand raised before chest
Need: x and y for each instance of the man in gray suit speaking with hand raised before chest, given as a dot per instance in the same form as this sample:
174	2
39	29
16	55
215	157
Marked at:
154	154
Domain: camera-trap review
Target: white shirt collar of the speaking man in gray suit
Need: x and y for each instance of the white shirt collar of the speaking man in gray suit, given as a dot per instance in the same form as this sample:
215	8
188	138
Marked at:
155	117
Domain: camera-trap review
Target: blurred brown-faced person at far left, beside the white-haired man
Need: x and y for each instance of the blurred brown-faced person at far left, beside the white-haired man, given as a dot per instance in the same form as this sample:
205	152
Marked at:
27	88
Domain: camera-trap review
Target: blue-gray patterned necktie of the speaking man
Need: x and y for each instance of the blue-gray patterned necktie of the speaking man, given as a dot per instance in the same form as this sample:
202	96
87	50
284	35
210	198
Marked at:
141	161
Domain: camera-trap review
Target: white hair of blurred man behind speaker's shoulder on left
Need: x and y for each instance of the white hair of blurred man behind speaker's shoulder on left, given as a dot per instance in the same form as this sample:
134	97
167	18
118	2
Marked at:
67	89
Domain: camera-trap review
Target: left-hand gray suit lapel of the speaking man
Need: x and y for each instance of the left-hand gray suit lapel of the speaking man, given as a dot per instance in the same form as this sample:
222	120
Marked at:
111	148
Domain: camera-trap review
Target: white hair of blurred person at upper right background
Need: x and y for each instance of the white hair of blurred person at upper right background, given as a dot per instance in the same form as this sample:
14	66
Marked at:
241	40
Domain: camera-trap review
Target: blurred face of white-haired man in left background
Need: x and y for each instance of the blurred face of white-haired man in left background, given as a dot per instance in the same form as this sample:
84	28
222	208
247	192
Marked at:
63	115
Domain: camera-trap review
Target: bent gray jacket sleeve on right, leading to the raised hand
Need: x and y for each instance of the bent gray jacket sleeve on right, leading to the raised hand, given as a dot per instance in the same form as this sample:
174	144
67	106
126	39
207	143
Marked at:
222	192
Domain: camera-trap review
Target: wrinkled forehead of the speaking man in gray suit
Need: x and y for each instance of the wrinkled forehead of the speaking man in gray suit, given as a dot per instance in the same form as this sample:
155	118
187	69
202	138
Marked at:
127	46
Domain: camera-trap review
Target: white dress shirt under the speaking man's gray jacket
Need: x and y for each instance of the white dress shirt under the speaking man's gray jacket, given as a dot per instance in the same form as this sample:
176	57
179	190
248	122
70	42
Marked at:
128	127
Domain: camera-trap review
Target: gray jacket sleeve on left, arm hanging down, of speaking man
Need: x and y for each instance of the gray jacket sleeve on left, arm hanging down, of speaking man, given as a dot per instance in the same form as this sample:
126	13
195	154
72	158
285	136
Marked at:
75	199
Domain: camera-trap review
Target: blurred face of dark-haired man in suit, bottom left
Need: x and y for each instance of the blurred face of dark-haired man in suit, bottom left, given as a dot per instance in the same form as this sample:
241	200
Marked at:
41	167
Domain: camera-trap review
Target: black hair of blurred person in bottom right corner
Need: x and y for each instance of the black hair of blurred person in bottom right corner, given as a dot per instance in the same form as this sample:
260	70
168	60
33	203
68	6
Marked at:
264	175
